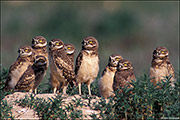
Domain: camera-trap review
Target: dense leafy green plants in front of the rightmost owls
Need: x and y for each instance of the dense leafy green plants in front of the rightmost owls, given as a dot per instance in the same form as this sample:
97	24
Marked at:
143	101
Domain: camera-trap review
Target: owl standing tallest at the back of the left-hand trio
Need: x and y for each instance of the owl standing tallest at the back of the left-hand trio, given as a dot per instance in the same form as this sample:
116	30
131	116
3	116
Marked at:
39	45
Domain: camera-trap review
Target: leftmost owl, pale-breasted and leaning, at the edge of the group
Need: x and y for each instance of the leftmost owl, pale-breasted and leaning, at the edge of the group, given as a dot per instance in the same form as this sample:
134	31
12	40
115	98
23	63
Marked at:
25	58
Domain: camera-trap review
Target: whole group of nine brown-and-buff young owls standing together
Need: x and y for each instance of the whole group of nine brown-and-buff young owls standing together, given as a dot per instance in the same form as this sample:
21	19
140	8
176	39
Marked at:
29	69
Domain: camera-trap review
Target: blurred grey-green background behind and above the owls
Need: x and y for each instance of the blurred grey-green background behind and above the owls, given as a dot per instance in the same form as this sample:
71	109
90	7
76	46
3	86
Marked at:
132	29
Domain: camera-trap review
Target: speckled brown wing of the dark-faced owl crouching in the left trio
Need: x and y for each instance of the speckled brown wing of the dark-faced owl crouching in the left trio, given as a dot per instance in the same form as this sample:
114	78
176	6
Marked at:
26	79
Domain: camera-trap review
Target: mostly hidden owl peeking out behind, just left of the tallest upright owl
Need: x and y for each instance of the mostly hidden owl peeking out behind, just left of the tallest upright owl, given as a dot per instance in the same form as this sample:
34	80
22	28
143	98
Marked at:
70	50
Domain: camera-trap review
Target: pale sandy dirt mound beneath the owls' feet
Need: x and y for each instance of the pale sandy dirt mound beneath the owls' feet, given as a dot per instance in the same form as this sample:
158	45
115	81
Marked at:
20	112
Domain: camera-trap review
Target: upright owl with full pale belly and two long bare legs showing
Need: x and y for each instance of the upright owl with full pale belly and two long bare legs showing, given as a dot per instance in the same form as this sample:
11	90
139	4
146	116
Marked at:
87	63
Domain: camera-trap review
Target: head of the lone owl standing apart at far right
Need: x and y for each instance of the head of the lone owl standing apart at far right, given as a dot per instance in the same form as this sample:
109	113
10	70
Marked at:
160	52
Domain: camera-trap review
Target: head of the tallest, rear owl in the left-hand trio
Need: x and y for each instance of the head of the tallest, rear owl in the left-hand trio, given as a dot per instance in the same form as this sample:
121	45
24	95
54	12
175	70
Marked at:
39	42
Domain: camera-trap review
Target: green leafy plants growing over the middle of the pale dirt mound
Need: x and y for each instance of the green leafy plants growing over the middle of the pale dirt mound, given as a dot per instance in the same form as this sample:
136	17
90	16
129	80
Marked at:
52	108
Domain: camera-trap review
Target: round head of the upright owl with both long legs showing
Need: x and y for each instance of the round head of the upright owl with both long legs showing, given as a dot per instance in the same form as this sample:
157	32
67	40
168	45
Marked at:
90	43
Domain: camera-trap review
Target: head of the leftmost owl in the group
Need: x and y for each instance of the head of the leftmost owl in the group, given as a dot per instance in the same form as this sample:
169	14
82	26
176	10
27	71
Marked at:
25	50
